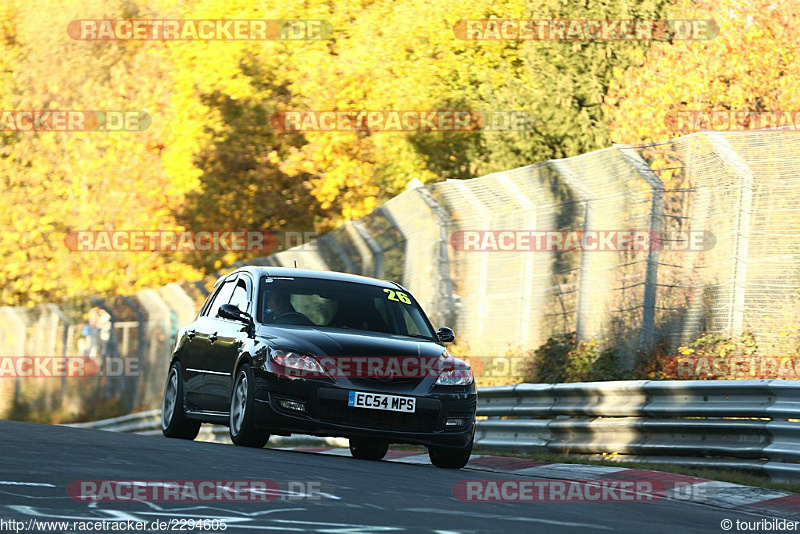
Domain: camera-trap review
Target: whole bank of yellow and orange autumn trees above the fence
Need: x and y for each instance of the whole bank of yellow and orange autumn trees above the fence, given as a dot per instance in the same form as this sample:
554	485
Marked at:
384	55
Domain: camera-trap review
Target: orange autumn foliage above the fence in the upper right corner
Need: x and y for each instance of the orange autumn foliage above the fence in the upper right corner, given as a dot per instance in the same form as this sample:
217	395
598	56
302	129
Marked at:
744	68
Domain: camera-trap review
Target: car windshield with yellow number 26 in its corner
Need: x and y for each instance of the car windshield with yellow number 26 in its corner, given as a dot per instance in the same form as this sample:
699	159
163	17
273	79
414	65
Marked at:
342	305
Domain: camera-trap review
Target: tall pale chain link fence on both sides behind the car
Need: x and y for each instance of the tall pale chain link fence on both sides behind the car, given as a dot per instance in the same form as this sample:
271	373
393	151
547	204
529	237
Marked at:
721	210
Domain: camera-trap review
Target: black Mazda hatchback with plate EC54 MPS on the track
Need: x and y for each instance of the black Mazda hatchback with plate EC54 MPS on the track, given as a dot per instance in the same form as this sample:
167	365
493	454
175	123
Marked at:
276	351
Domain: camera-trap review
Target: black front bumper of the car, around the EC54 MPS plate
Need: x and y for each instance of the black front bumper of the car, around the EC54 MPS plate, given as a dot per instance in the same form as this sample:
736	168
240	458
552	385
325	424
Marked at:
327	413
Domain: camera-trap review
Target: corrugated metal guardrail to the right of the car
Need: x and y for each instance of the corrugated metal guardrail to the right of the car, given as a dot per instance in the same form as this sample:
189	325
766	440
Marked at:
752	425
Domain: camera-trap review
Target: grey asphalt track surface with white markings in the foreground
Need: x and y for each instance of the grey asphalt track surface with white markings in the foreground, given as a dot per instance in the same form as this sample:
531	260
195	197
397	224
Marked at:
38	462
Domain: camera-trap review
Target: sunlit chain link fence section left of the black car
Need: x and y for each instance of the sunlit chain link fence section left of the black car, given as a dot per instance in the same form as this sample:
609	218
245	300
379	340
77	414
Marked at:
101	358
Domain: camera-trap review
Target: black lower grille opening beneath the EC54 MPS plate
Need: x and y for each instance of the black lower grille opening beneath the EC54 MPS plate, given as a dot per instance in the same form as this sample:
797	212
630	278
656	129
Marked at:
341	414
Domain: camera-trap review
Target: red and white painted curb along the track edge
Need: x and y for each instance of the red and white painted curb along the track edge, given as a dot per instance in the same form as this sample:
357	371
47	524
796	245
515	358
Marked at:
767	502
